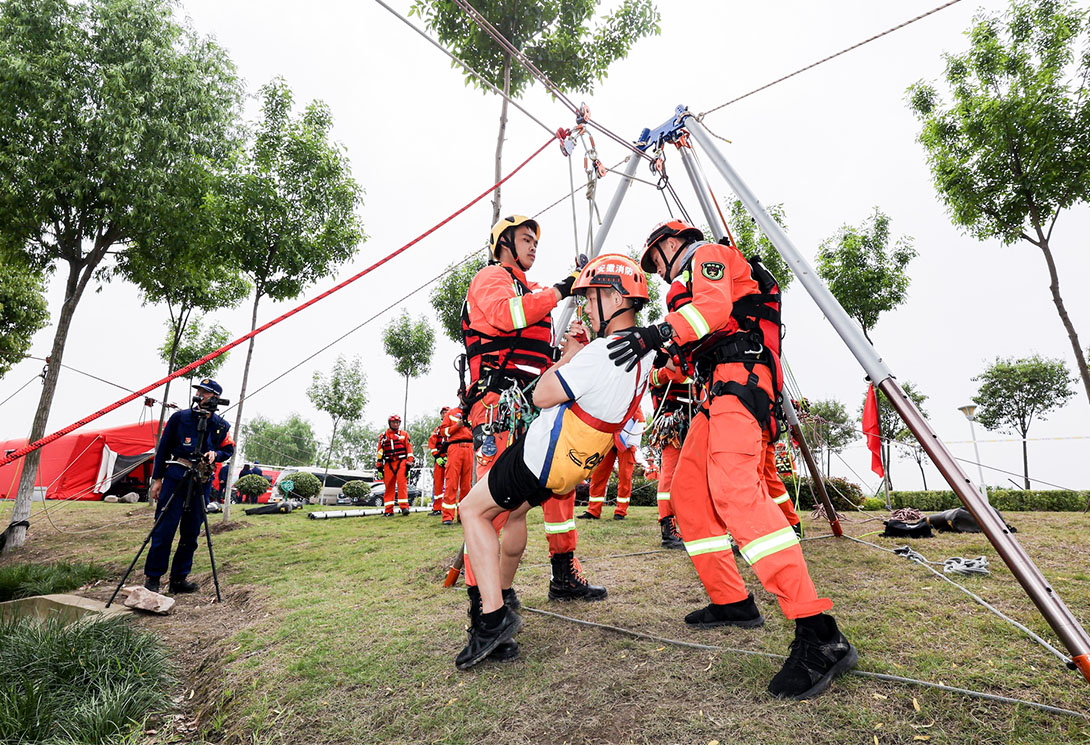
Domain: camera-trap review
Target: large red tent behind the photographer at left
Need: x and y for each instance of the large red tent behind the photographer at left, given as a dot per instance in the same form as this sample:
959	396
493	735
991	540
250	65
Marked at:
88	464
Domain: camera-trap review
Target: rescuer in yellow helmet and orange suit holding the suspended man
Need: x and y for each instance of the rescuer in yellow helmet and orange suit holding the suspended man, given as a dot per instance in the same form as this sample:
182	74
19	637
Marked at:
508	333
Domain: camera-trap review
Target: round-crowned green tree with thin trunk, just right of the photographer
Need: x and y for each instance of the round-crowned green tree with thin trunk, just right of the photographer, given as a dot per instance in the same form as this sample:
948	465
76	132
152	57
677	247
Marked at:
287	213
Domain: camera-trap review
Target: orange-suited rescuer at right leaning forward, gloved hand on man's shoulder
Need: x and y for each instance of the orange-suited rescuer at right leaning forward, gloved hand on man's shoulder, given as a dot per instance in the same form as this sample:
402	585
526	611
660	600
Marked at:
724	321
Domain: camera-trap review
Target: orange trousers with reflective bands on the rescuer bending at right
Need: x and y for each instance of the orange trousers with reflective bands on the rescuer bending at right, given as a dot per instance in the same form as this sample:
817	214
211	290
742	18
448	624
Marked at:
719	488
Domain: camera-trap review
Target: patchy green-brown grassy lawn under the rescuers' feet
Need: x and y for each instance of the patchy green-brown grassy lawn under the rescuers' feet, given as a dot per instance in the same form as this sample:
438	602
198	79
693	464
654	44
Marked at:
341	632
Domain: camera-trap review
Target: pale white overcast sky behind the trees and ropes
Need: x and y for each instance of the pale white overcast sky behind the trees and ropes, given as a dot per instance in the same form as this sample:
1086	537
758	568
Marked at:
830	145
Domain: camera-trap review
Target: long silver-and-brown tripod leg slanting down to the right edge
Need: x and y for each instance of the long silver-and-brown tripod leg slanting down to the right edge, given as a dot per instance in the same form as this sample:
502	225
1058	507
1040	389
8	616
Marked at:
1044	596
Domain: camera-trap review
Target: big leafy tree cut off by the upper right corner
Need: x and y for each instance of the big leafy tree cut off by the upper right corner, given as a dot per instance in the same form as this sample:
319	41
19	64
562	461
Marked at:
1012	152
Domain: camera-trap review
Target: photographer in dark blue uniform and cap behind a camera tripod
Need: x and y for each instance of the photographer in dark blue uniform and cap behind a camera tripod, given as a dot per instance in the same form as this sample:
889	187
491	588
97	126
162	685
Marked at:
176	455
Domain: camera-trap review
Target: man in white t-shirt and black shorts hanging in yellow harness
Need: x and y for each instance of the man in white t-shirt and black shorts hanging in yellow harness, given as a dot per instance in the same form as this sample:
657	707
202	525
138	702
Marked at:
586	400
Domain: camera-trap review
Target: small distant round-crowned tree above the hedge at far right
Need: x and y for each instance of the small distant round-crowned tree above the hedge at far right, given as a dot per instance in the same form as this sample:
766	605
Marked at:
1015	391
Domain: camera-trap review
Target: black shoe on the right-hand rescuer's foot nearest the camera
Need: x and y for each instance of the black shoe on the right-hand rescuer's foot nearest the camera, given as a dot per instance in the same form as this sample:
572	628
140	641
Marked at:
819	654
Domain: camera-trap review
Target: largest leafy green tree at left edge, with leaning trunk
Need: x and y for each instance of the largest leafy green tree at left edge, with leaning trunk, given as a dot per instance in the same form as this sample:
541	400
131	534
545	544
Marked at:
105	107
